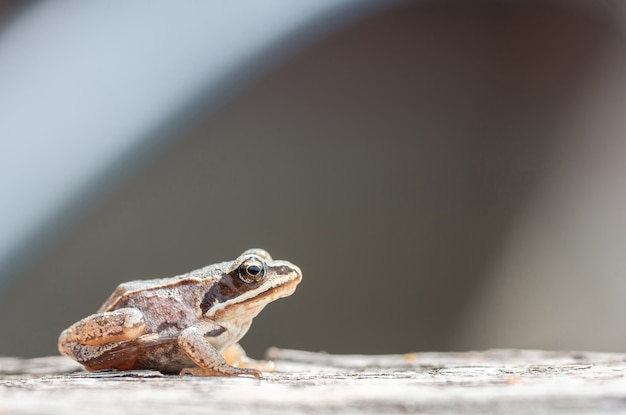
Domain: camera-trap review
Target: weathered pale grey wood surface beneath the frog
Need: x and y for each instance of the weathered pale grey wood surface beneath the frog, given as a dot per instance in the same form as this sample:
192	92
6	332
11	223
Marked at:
490	382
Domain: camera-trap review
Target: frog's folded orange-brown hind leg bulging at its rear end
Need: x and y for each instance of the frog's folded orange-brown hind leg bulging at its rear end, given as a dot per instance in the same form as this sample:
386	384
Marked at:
102	330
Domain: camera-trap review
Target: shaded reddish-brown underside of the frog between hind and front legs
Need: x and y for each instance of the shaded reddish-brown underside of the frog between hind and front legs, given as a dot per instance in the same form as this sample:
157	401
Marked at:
163	355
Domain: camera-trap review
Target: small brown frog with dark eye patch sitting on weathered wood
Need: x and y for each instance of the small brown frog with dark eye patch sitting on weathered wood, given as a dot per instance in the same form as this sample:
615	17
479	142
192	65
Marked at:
189	324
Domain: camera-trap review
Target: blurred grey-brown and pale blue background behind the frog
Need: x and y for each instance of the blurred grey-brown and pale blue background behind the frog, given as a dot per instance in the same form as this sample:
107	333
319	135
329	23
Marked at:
449	175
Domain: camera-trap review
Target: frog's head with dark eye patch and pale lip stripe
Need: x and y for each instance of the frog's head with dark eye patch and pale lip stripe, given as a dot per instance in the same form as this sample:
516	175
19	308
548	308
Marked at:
250	282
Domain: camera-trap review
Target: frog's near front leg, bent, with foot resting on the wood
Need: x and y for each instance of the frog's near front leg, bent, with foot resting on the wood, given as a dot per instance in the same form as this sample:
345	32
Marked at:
196	342
